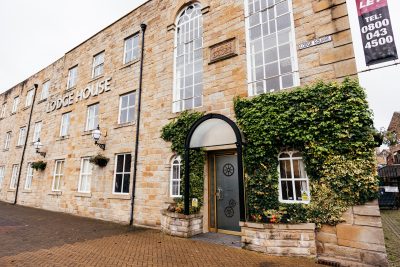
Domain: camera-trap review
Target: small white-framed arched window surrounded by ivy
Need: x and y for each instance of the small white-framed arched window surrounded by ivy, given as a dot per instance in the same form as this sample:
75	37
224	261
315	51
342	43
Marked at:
293	180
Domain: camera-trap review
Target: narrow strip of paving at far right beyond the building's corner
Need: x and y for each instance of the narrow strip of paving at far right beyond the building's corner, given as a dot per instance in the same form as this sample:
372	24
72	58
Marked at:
391	228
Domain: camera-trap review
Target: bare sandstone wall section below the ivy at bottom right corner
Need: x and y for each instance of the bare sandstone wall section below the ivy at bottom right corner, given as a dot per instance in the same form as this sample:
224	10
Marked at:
358	241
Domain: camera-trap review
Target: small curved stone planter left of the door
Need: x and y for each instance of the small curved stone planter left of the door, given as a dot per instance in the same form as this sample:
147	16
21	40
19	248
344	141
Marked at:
177	224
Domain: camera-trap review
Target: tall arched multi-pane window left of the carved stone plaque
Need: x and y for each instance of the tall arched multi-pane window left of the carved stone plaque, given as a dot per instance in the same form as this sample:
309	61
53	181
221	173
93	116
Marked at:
188	66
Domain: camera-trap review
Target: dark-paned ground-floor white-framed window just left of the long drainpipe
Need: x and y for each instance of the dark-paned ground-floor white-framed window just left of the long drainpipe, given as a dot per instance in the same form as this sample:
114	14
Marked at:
122	174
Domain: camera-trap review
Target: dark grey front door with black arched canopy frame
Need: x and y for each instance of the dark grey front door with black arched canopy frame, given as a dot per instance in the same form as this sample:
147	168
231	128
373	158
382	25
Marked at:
218	131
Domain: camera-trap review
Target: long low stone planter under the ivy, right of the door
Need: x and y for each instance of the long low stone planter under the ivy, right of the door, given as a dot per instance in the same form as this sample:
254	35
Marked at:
280	239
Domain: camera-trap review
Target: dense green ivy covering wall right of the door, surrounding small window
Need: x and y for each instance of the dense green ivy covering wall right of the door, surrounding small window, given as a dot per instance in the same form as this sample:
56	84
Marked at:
331	124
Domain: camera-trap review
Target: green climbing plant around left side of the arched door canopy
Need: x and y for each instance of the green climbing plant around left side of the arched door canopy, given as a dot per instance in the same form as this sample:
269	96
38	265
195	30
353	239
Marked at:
176	132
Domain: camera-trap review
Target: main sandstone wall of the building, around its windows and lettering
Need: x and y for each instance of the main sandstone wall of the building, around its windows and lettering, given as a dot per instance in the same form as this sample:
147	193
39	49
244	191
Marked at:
222	81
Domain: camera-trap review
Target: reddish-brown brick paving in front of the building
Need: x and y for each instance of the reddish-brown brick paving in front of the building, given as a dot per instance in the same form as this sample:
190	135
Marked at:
32	237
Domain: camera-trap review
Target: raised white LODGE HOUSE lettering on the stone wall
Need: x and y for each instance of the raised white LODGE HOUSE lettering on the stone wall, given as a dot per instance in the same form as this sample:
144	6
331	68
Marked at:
71	98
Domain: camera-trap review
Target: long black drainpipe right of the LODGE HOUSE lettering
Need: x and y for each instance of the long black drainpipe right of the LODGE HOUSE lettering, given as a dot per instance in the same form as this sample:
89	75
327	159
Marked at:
143	26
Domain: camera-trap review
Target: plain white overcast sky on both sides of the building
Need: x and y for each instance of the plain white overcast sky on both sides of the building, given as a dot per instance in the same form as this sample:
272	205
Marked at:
36	33
